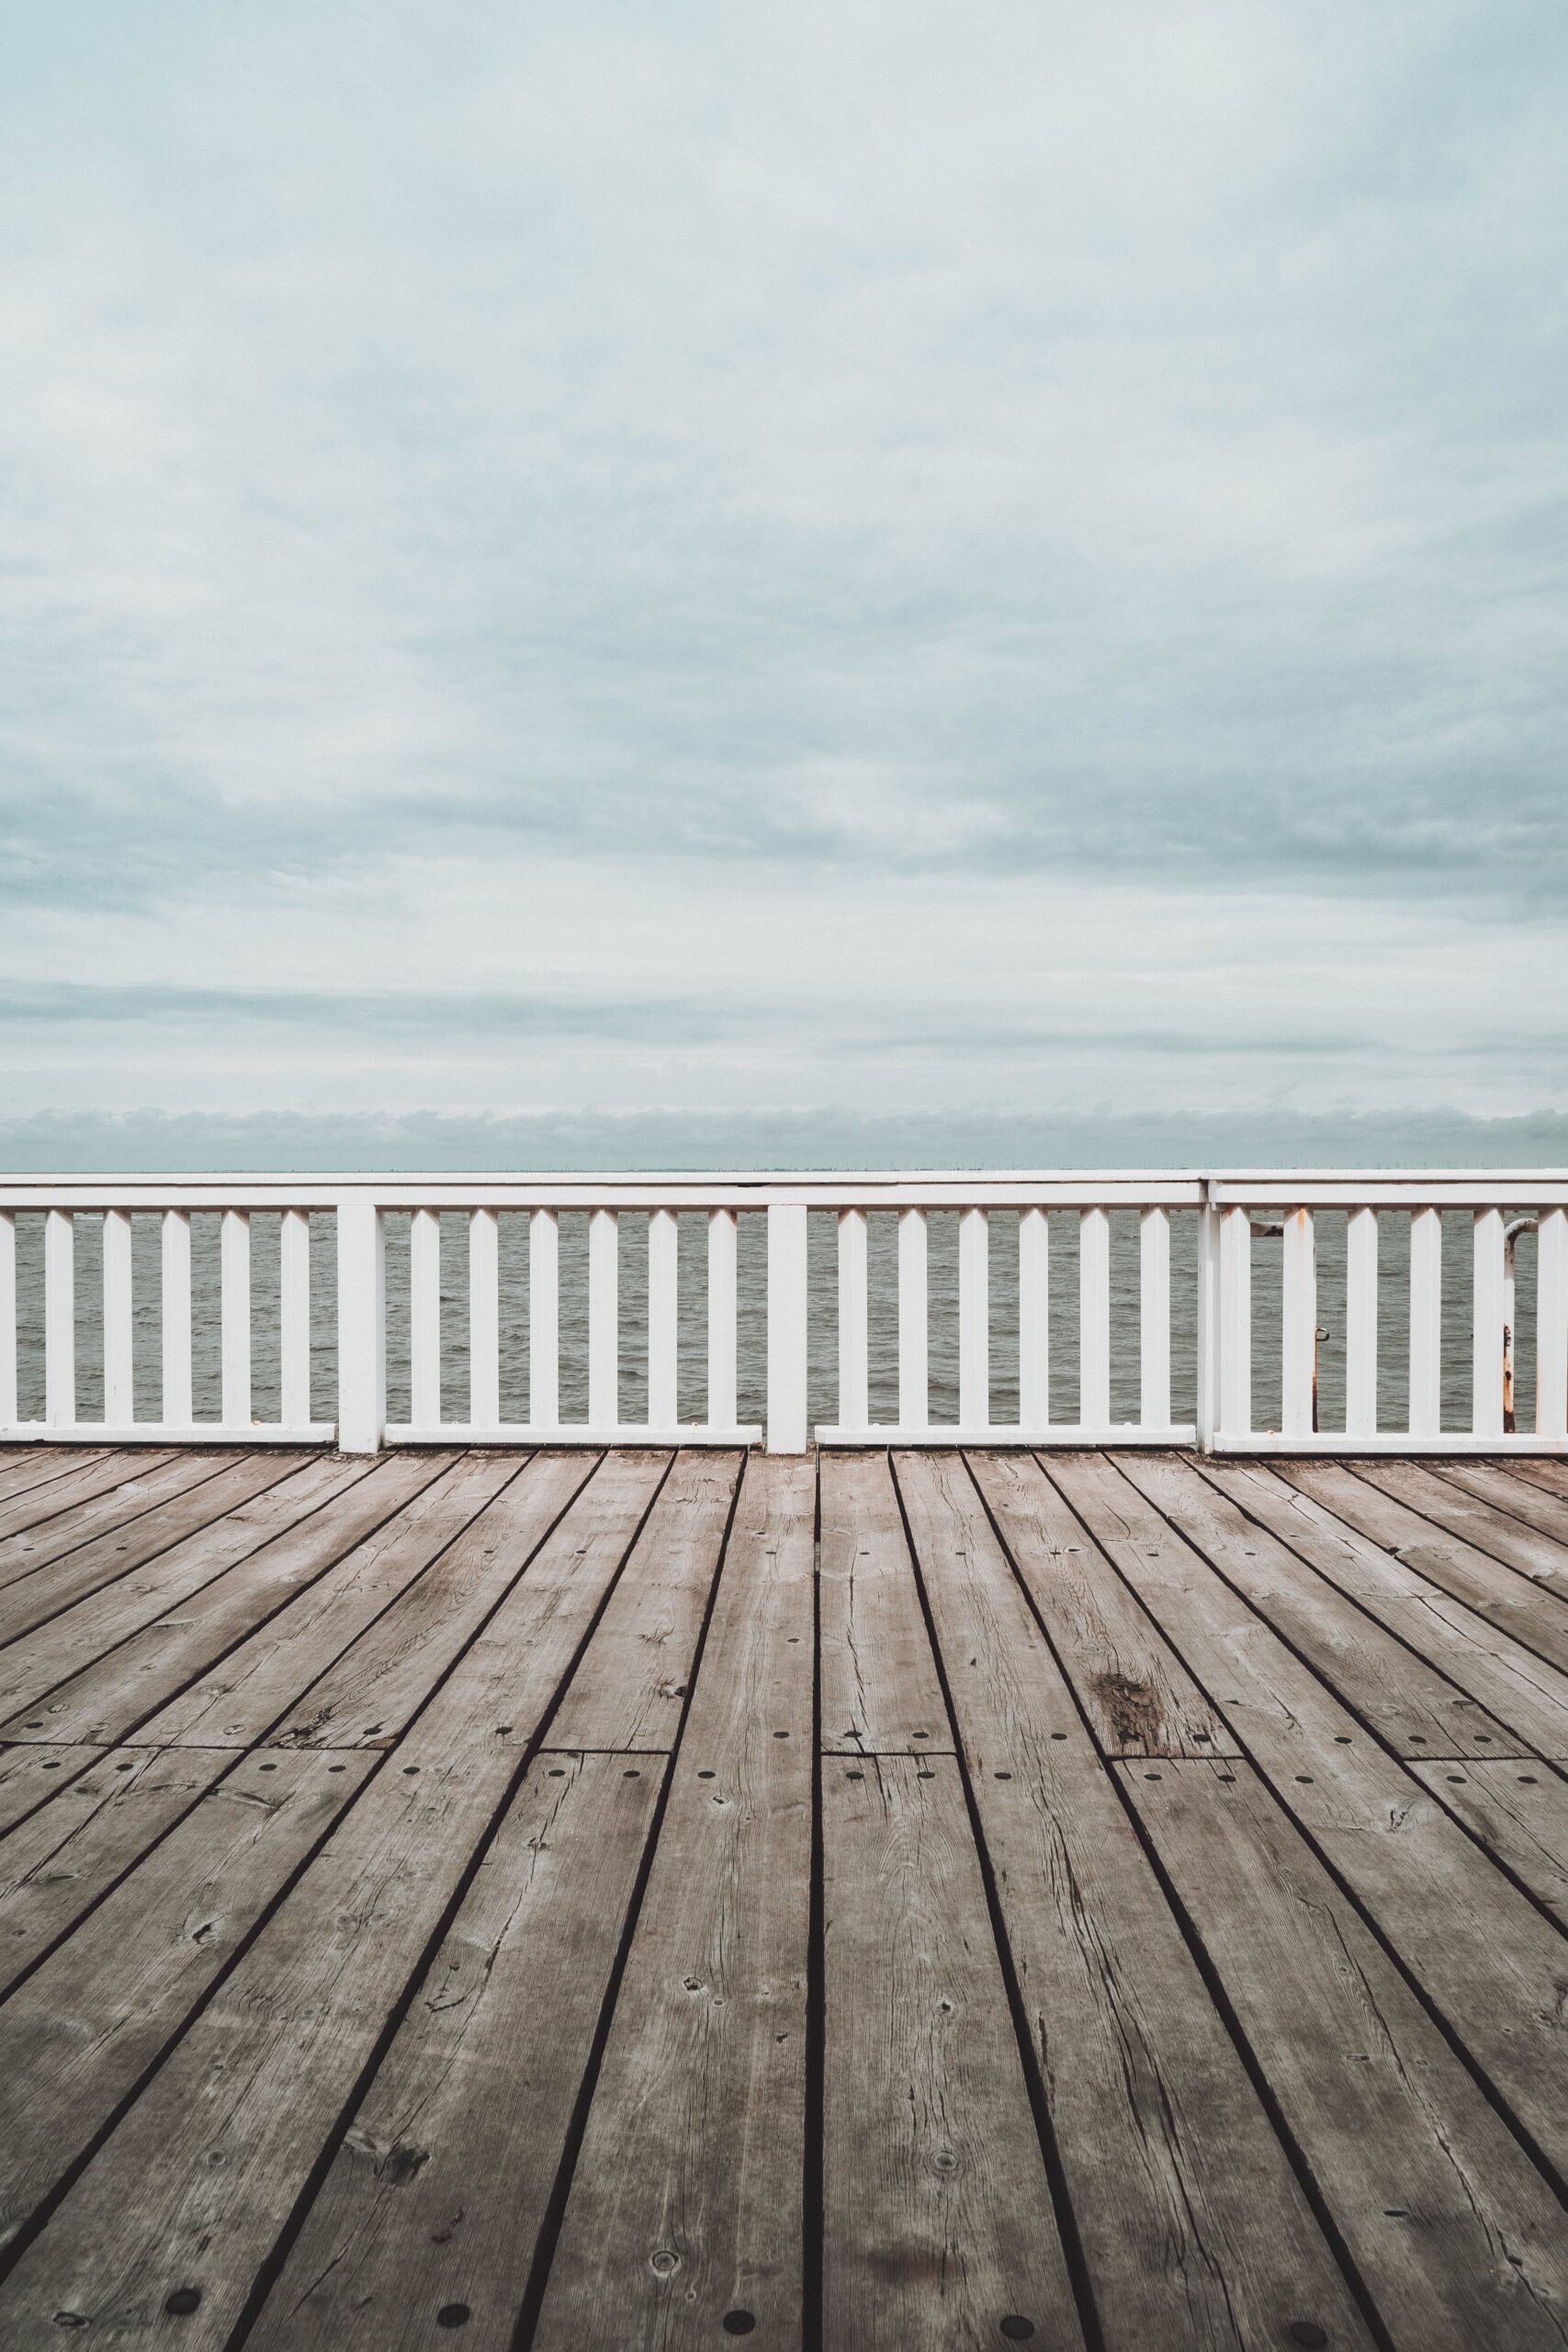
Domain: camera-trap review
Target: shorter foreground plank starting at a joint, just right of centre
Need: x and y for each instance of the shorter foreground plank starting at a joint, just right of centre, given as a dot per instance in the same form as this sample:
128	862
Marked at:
939	2217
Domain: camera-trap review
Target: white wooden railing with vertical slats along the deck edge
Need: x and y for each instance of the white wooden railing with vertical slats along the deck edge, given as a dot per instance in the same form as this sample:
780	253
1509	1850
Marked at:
1209	1295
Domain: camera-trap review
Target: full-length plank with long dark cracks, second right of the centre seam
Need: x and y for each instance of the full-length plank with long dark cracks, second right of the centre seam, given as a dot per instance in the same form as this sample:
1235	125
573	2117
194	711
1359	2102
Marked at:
1193	2226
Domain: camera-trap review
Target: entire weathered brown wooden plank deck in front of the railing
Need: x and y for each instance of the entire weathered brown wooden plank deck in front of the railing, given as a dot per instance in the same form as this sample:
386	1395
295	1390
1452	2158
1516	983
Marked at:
869	1904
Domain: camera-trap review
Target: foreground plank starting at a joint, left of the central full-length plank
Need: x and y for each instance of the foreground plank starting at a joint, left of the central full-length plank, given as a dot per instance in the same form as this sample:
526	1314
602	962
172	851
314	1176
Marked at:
441	2186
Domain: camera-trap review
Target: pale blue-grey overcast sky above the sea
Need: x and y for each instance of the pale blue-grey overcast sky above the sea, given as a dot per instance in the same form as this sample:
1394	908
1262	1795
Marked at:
864	556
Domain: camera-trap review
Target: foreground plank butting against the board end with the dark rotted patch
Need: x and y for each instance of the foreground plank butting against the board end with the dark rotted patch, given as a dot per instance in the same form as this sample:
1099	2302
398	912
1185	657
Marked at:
1456	2236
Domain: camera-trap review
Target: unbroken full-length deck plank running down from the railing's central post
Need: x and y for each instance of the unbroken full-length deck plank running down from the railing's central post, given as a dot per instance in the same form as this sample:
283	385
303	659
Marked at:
688	2196
